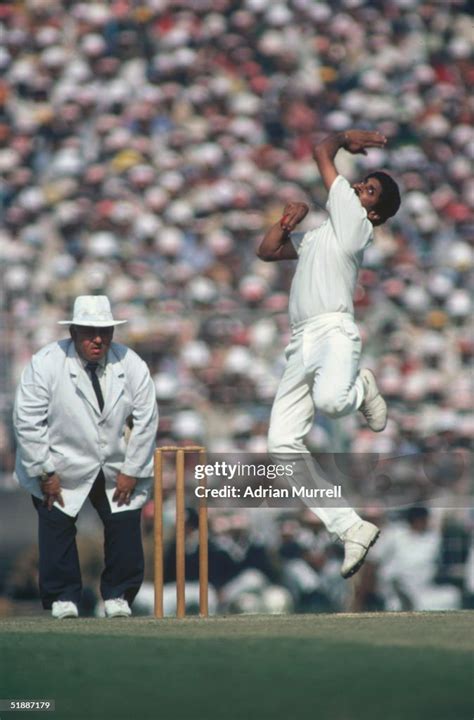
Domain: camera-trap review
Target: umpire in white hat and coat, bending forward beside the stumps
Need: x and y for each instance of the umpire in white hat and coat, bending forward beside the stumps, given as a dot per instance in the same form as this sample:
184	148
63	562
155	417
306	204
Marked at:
85	421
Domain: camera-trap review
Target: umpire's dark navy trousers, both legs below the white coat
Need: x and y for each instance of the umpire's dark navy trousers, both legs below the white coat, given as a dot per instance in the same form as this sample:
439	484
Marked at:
59	570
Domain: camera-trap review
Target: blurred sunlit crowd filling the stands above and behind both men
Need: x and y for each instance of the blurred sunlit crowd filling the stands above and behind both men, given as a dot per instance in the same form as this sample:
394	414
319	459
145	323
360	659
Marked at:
146	145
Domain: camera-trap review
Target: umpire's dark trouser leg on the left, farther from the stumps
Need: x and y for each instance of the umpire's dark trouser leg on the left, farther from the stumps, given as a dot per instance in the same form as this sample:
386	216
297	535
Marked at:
59	570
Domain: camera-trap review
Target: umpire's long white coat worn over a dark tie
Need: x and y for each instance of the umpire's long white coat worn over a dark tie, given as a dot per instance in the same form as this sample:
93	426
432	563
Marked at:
59	426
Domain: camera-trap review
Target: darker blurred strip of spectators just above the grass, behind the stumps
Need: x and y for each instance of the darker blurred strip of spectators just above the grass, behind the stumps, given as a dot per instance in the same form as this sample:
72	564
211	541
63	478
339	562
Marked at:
282	562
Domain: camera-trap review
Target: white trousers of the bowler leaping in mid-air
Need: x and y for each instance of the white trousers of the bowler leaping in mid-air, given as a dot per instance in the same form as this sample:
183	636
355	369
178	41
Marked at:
321	373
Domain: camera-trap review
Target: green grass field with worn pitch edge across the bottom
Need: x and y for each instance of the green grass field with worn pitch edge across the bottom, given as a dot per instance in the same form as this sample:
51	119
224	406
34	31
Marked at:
403	666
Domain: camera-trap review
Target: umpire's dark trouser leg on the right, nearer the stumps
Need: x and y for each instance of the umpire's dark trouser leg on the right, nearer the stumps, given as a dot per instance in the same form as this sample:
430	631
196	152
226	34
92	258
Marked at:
123	550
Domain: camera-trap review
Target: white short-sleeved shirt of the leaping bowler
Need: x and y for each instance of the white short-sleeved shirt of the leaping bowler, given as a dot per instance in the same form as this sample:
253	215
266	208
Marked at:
330	256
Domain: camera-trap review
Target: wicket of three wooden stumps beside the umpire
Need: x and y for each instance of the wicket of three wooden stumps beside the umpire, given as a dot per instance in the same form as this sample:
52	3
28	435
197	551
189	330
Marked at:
179	453
